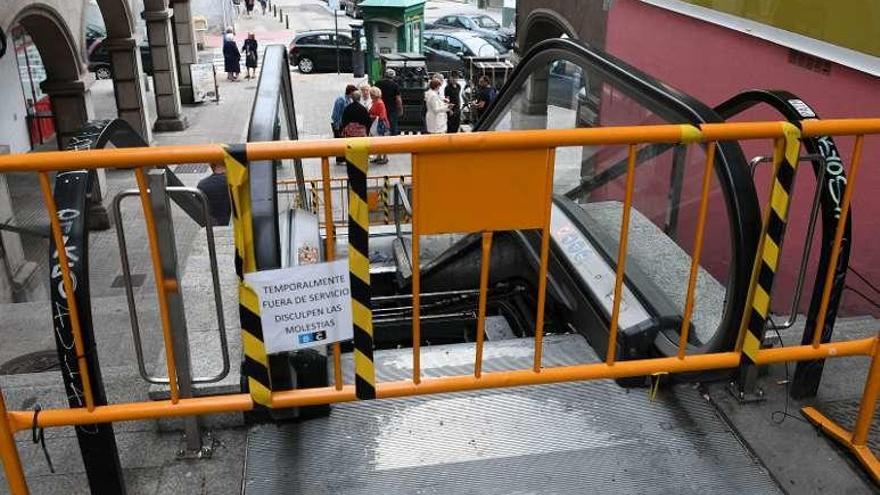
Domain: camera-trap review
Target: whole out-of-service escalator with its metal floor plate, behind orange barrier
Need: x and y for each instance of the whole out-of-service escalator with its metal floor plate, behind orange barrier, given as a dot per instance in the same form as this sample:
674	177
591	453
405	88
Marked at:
580	437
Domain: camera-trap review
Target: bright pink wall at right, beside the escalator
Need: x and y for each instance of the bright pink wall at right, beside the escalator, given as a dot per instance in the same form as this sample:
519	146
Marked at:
713	63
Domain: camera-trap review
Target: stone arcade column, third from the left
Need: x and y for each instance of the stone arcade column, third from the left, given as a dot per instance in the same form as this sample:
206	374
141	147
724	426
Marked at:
158	17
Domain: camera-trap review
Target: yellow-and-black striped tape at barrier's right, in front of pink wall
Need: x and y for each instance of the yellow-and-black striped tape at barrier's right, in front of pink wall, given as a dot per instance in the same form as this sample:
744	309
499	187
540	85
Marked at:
785	162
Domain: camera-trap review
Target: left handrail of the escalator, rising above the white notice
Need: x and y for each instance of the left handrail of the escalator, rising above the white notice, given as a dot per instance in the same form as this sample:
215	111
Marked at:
274	97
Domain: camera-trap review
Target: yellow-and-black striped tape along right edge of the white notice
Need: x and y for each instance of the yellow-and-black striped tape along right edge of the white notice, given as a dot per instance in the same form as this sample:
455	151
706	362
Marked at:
357	160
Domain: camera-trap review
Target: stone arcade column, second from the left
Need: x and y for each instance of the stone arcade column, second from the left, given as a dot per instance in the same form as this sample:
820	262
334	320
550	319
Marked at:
128	85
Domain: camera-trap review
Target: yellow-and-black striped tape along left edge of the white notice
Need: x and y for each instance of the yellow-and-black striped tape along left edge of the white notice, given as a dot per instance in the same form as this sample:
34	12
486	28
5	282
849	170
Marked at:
256	361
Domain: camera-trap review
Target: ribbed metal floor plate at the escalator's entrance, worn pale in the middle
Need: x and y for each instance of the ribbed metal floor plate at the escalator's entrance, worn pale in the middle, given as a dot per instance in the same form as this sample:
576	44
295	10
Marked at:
570	438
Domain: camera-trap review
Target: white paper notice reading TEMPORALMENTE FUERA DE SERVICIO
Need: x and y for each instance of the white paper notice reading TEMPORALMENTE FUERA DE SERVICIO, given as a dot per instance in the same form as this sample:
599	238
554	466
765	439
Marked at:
304	306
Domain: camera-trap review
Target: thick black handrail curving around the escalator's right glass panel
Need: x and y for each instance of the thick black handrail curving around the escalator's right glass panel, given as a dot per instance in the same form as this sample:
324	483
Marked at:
674	106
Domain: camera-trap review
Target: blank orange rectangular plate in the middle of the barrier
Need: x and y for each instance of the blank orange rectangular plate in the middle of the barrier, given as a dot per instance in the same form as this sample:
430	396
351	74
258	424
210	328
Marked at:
497	190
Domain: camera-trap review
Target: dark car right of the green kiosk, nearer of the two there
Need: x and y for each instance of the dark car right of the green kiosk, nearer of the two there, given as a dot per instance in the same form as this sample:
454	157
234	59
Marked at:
447	50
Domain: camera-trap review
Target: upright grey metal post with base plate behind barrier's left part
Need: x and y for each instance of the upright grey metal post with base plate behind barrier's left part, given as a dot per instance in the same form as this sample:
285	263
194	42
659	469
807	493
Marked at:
161	206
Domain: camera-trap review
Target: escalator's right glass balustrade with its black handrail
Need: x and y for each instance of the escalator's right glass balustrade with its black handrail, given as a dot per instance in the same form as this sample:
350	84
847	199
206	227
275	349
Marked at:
564	84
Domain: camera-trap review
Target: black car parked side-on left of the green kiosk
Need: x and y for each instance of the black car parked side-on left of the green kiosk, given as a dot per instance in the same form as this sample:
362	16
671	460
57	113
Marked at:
315	51
